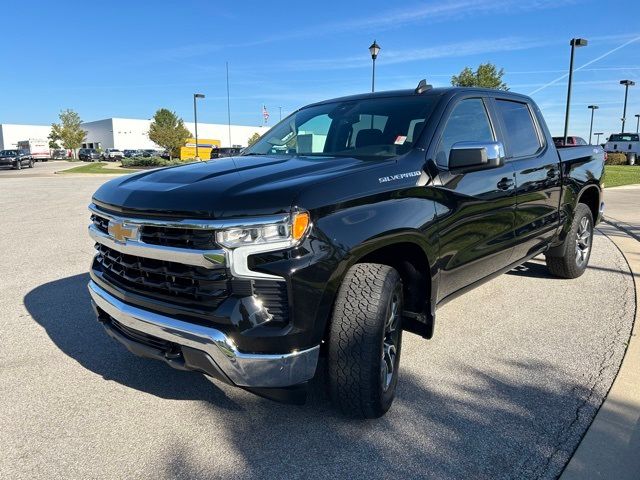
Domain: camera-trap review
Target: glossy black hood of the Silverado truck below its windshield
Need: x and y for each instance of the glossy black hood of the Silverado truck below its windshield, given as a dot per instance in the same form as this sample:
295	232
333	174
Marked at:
226	187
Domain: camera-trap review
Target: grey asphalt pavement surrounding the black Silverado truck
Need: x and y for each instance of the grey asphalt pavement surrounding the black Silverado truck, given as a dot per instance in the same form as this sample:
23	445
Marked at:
506	388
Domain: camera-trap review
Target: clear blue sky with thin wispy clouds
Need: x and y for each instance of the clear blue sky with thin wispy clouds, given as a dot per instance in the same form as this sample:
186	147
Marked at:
126	59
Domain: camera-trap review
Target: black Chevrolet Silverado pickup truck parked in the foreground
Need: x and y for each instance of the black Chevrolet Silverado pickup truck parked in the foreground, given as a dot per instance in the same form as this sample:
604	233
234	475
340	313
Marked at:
347	223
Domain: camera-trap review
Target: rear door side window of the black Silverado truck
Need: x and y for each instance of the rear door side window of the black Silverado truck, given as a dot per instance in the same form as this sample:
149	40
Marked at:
521	133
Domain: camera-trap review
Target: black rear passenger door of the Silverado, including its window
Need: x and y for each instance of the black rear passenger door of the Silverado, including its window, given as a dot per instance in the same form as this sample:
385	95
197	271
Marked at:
537	168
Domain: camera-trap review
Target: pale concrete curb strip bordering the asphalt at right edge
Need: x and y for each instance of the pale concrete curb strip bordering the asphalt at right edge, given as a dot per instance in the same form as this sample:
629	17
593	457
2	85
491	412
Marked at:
610	449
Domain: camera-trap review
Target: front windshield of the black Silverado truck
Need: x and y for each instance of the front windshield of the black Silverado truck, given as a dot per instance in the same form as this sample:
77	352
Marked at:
369	128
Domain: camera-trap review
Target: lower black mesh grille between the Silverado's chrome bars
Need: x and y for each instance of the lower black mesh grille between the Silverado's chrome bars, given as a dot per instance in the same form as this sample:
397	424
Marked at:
167	281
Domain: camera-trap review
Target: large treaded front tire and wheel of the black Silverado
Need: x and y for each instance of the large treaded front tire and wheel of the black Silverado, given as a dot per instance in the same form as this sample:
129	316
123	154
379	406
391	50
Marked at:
365	339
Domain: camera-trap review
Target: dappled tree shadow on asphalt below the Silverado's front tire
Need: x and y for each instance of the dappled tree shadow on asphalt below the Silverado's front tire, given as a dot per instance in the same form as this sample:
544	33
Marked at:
499	428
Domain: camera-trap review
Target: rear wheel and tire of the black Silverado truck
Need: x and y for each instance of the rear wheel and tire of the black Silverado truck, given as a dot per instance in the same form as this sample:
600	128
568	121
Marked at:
576	249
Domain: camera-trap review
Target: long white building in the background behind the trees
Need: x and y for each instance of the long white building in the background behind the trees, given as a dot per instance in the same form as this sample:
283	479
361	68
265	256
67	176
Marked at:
127	133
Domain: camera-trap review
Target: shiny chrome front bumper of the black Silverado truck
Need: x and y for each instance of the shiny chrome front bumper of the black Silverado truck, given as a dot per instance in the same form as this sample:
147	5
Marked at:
203	348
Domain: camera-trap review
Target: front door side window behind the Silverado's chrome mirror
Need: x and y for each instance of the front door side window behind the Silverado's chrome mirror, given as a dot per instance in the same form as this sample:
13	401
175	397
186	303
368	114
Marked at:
468	122
